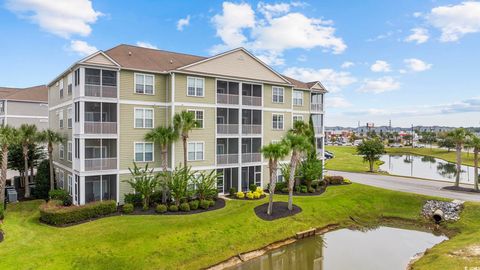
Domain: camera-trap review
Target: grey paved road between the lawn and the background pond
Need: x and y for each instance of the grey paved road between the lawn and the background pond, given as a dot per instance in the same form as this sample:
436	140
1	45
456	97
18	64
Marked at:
418	186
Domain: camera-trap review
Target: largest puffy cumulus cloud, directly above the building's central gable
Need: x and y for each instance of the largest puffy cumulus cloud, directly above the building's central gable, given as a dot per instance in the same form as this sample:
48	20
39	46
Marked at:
271	30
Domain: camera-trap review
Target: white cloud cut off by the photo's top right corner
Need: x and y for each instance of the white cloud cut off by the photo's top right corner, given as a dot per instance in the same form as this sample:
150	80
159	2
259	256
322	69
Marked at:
455	21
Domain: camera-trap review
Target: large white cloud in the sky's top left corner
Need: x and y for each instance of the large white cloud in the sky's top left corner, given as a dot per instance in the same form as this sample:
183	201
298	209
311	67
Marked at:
62	18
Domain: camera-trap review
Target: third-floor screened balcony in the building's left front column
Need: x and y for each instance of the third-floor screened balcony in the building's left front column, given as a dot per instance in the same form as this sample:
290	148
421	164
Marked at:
100	118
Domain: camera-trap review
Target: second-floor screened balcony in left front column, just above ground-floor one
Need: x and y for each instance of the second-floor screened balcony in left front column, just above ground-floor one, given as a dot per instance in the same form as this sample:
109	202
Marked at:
100	154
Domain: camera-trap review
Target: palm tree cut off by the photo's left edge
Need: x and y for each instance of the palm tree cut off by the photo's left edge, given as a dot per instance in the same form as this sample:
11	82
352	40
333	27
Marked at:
7	136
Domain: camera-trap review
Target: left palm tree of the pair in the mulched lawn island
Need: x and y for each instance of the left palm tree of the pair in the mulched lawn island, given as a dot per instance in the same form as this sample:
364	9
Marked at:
274	152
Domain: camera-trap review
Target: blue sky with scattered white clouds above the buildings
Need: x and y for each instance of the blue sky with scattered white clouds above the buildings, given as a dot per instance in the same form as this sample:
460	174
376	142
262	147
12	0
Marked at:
412	62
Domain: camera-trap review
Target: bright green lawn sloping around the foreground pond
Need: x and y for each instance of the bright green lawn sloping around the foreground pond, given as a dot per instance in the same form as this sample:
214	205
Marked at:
196	241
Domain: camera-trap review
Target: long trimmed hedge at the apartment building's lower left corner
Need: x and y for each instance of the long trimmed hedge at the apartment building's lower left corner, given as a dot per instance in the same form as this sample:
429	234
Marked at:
54	214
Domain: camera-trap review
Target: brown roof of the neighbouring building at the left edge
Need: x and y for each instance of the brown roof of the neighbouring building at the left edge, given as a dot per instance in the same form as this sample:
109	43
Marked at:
37	93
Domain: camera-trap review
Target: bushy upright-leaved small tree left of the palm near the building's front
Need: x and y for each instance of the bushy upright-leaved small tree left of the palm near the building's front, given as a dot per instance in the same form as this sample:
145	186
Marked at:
144	182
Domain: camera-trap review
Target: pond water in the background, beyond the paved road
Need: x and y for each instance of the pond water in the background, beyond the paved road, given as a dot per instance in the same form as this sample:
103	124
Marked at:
425	167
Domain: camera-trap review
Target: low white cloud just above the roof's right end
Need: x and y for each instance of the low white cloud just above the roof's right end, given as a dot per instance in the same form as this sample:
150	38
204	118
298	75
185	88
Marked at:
333	80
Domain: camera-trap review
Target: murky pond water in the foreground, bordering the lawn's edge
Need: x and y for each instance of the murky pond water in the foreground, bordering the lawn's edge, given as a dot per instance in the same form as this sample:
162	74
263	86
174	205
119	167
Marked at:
381	248
